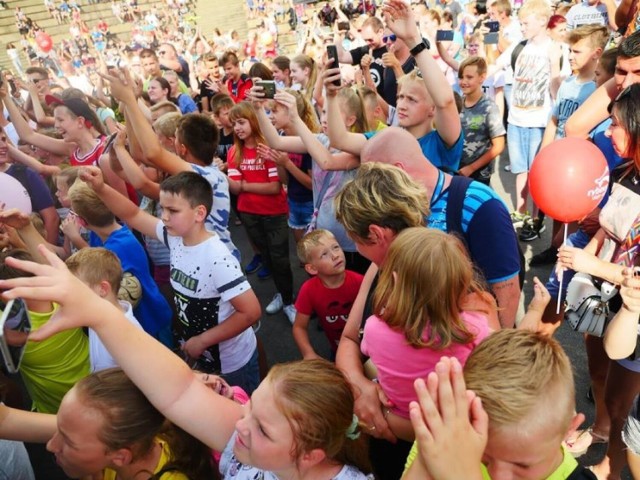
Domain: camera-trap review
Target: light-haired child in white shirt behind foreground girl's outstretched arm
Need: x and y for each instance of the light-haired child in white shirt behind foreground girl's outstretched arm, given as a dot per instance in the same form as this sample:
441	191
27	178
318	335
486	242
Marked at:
100	269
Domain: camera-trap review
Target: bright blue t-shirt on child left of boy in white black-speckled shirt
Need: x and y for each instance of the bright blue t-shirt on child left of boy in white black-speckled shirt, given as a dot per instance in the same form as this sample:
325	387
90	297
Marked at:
153	311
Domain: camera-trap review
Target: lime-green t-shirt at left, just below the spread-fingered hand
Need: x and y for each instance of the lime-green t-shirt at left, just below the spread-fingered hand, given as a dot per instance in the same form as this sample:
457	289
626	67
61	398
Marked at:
51	367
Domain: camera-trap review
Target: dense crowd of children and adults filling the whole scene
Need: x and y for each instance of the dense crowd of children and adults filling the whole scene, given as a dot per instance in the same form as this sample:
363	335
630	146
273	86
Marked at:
375	158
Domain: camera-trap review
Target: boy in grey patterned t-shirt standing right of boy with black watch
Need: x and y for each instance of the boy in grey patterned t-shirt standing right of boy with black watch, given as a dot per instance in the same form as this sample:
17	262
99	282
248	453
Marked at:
481	121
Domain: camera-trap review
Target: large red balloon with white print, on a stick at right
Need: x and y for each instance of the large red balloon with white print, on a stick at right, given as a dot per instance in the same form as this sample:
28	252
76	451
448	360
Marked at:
568	179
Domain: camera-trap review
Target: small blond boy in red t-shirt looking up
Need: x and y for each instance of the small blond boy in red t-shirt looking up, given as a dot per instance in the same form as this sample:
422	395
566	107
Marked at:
329	294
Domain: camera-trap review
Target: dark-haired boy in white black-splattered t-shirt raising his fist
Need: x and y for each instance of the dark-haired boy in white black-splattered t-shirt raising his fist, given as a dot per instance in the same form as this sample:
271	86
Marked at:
215	303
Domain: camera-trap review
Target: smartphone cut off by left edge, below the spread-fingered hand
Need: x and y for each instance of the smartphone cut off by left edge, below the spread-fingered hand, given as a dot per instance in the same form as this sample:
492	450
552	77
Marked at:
15	325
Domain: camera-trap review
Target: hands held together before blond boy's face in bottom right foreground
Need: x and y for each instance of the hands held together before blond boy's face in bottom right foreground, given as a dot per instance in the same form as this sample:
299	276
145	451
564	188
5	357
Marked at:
450	424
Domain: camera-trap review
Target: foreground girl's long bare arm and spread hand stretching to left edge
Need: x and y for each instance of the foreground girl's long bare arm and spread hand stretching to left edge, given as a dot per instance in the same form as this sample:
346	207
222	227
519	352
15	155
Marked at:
180	396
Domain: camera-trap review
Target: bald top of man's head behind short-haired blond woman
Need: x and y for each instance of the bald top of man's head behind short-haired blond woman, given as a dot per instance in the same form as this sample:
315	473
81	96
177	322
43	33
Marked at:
393	146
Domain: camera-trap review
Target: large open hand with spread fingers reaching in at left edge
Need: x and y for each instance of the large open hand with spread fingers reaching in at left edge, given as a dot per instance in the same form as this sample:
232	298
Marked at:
53	282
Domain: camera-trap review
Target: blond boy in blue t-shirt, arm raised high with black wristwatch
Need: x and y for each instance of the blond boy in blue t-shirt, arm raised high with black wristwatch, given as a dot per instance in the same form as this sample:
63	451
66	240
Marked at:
425	106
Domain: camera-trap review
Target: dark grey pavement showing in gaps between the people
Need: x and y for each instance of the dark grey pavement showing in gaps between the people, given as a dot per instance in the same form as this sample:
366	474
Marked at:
275	331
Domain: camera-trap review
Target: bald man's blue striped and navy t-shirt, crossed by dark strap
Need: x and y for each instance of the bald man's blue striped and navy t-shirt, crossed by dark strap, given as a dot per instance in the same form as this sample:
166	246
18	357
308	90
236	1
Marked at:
487	228
